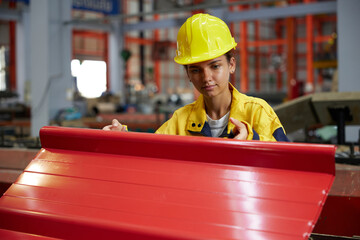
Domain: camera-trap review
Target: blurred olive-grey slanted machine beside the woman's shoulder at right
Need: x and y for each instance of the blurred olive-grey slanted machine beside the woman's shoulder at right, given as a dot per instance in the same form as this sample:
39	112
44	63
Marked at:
312	112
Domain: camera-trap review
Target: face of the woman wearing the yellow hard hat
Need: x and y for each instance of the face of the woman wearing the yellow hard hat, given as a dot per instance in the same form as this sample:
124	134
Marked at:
211	77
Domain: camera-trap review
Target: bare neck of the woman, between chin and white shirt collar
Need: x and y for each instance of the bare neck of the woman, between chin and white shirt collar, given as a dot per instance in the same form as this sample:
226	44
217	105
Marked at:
216	107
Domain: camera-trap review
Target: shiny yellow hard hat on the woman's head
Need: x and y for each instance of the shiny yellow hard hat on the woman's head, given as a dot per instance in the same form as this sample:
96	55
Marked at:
202	37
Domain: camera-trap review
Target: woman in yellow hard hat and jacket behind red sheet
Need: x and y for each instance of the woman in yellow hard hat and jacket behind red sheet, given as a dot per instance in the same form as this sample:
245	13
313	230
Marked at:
206	49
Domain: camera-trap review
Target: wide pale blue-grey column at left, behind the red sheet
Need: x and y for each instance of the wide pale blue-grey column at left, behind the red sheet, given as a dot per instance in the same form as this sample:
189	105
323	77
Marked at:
50	56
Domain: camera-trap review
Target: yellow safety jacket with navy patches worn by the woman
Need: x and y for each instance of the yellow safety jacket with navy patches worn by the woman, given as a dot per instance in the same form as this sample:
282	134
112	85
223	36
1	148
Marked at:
261	121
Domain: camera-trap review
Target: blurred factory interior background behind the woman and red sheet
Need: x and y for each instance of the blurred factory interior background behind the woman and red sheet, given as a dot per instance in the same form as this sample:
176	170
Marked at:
80	64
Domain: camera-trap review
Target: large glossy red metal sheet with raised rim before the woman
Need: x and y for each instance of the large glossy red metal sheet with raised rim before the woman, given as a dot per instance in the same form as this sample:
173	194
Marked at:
96	184
